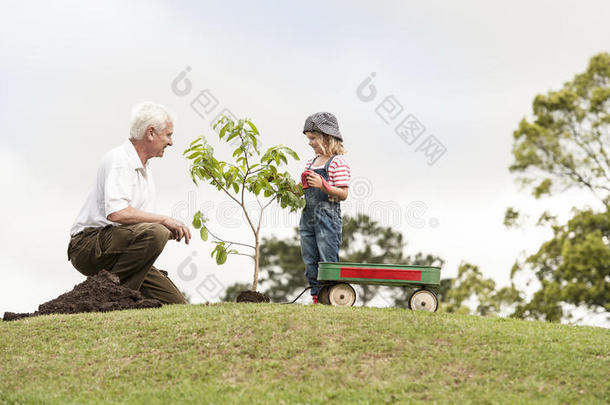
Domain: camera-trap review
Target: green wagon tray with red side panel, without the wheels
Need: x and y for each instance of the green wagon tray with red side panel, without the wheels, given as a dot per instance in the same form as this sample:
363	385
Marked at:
379	274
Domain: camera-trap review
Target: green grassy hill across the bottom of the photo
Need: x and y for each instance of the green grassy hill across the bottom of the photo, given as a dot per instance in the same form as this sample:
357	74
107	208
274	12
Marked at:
270	353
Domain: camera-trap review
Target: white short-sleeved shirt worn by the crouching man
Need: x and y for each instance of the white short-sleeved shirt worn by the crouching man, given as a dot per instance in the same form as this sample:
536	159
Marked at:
122	180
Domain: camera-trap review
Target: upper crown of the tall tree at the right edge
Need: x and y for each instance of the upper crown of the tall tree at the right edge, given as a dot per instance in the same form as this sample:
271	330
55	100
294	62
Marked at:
566	143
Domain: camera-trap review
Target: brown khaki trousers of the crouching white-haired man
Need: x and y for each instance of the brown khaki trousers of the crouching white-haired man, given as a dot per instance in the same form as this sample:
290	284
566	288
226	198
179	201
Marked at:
128	251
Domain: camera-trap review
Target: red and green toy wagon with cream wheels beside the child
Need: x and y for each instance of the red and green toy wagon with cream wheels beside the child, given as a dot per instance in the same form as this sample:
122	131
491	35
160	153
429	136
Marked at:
336	279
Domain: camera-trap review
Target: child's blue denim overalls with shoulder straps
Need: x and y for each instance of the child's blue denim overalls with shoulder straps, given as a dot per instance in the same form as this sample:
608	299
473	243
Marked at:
320	229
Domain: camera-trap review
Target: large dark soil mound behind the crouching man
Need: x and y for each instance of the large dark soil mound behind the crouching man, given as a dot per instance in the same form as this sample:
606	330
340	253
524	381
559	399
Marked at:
99	293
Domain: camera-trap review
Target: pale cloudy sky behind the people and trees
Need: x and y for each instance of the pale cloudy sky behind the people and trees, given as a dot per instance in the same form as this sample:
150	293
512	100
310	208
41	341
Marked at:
466	72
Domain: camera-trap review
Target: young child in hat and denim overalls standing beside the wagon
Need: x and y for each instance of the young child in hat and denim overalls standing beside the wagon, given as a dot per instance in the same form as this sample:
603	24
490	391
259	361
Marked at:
325	181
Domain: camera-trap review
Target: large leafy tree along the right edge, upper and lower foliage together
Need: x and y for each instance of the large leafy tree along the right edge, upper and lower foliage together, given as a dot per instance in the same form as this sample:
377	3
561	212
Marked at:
565	146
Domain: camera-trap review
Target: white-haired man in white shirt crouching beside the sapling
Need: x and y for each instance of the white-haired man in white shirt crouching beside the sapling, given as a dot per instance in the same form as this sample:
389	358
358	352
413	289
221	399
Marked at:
116	229
